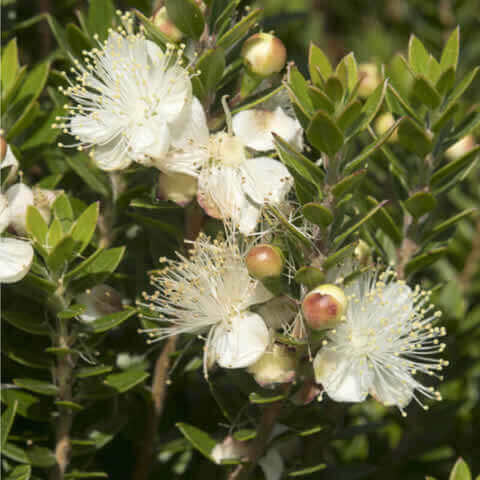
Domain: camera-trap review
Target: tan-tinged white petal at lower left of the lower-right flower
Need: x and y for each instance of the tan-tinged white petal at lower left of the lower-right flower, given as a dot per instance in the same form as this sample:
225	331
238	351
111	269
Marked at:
345	379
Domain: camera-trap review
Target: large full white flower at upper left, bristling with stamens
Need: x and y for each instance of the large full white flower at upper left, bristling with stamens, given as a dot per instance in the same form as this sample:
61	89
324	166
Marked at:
128	97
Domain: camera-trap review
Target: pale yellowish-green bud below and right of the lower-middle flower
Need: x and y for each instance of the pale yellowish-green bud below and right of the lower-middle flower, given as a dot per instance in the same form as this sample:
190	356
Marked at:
276	365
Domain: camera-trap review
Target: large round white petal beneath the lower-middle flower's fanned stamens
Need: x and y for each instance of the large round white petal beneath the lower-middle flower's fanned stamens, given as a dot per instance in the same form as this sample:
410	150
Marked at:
241	343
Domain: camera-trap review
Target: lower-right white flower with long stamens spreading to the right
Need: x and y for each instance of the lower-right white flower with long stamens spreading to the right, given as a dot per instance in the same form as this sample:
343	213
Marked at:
387	337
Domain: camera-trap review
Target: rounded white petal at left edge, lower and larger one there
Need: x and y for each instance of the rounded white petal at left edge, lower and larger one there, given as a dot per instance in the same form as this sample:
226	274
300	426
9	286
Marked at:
16	257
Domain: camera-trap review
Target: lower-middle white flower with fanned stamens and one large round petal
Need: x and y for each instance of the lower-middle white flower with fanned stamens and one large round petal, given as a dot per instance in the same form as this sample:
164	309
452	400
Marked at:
210	293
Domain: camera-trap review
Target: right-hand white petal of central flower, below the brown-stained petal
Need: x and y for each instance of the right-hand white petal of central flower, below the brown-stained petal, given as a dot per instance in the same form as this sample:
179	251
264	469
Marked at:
266	180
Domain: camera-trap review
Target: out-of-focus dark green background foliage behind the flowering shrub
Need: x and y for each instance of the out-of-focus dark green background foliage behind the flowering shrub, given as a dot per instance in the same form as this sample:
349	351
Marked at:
364	441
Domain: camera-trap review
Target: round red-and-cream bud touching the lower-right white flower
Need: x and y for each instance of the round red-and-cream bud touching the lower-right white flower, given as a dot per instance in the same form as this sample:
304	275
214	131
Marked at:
324	306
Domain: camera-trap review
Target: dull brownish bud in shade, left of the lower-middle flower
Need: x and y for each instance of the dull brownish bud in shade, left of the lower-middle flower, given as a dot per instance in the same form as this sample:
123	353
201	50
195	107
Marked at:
101	300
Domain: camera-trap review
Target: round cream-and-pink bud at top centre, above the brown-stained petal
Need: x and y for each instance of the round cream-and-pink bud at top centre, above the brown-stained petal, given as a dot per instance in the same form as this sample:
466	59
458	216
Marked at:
264	54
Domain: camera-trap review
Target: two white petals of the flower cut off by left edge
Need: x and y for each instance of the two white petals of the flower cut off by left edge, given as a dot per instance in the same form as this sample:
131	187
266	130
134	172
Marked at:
16	256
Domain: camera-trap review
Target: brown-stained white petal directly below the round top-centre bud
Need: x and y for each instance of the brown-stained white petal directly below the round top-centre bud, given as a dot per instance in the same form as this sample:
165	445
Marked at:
255	128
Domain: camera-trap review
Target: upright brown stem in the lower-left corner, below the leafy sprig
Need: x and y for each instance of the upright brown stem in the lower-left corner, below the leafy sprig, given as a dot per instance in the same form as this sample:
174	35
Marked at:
63	376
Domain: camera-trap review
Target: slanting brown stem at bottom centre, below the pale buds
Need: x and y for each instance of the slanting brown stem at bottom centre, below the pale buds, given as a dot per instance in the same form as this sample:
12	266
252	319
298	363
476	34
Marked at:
267	422
